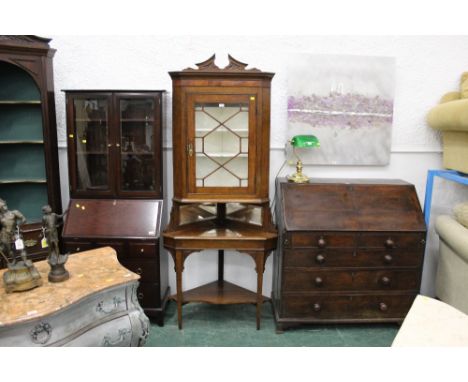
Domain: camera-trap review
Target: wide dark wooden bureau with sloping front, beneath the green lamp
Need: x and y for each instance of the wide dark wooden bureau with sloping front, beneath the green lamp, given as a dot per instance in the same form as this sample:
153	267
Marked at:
350	251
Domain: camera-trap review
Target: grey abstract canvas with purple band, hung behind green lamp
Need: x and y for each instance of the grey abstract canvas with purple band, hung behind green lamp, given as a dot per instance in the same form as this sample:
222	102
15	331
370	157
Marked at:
347	102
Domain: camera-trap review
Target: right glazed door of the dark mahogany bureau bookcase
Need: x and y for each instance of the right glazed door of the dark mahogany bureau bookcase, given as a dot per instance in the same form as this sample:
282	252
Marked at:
139	145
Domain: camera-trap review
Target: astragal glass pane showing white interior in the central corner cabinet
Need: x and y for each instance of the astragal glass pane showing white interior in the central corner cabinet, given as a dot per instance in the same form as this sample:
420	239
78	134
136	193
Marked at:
221	144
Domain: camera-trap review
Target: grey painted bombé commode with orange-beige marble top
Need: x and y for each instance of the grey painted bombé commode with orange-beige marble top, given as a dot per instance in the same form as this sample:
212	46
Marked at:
97	306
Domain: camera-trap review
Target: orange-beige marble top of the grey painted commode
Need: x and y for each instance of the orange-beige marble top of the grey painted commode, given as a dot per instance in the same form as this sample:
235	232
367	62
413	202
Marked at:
90	272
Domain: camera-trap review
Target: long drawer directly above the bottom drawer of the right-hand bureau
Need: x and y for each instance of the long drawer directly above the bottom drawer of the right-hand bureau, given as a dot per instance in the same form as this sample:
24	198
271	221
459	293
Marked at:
348	280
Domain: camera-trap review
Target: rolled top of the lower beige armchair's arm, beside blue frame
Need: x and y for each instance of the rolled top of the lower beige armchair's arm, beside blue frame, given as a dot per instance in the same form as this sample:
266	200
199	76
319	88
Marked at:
453	234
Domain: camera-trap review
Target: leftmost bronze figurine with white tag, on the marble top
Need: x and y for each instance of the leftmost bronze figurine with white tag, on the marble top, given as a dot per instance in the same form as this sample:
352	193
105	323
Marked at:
21	275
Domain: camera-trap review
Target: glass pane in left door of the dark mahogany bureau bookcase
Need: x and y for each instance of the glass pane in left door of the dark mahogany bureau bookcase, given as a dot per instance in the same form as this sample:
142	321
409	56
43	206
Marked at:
92	151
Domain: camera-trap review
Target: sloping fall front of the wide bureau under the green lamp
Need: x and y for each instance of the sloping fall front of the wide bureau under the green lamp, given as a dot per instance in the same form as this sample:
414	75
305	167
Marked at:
351	205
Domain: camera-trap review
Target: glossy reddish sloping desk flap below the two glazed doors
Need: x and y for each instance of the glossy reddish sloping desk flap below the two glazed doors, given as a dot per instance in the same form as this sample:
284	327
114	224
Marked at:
119	218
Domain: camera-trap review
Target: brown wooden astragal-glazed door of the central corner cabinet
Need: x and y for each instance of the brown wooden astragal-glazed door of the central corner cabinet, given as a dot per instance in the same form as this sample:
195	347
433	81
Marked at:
221	147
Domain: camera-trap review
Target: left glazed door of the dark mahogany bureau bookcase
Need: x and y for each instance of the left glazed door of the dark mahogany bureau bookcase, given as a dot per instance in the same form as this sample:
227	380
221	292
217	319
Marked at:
90	144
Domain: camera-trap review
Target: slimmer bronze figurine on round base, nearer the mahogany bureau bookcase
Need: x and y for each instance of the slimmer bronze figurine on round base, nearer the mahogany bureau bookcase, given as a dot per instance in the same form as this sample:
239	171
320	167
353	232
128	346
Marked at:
50	222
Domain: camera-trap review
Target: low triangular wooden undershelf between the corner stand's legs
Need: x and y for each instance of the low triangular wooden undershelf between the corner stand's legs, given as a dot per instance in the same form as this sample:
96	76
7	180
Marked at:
222	293
